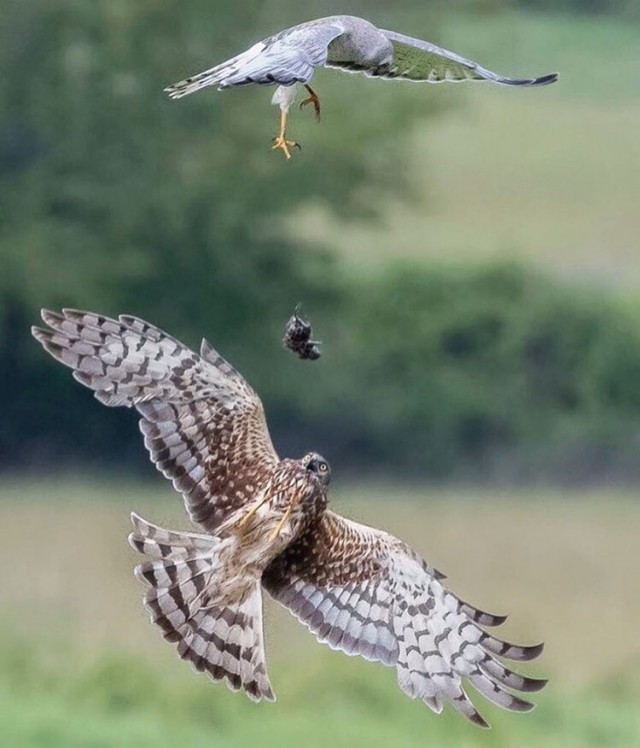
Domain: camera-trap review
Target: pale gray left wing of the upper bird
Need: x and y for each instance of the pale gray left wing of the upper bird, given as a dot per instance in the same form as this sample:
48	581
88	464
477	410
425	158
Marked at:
286	58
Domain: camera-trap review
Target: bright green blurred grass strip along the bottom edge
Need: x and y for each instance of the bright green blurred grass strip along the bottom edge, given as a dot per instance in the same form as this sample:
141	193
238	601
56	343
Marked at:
124	698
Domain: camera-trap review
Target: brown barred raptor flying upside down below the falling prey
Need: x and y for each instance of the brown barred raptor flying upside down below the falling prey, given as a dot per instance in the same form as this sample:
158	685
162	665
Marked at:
268	527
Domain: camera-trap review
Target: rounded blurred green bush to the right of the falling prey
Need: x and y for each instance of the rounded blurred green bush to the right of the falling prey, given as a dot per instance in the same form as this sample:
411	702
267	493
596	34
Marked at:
492	369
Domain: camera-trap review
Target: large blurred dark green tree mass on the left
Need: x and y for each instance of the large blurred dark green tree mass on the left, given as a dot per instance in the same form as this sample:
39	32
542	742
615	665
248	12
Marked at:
116	198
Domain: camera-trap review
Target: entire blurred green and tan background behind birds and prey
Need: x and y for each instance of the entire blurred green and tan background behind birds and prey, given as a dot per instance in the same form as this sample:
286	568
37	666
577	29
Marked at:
467	254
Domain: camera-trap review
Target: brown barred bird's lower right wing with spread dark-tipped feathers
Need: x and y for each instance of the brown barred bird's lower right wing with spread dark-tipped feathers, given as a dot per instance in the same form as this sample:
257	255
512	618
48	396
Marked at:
365	592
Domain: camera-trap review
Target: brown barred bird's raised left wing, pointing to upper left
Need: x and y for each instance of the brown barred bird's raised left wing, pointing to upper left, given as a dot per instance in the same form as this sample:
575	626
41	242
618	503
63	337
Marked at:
203	424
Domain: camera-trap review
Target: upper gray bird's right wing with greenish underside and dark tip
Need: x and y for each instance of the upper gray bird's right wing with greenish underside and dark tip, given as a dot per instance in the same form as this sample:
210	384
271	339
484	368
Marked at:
420	61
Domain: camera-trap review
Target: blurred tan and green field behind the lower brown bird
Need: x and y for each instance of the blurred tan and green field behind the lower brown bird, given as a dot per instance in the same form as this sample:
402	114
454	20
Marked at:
81	666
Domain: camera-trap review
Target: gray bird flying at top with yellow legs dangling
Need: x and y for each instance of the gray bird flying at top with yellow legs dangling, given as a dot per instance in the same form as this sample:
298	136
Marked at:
344	42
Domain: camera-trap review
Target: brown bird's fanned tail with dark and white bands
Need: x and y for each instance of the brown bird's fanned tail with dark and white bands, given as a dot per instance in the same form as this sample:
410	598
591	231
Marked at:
223	639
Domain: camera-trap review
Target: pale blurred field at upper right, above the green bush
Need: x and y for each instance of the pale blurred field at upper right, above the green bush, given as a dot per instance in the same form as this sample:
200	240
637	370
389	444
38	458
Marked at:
546	176
